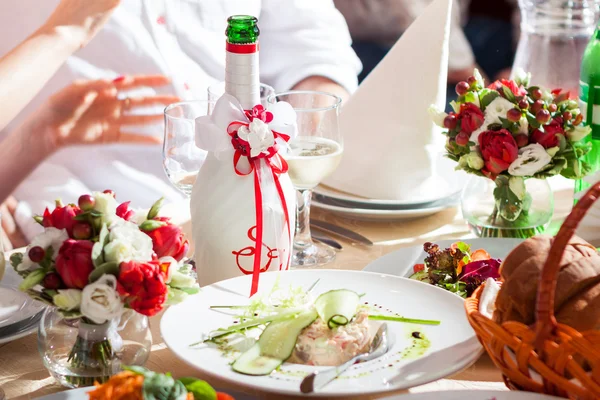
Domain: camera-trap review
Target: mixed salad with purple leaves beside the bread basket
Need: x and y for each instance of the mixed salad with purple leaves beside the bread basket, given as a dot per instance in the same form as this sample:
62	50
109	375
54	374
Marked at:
457	269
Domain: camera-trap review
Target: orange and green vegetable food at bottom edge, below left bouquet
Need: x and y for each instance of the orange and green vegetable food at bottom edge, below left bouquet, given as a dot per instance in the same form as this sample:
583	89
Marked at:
137	383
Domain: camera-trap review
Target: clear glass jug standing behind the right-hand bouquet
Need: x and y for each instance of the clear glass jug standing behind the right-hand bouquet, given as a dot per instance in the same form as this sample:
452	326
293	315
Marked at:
554	34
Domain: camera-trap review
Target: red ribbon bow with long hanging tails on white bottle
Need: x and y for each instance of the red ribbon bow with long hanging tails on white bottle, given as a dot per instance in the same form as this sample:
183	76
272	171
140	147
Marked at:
277	166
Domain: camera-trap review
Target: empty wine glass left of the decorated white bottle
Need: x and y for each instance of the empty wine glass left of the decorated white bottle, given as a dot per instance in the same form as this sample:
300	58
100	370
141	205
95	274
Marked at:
182	159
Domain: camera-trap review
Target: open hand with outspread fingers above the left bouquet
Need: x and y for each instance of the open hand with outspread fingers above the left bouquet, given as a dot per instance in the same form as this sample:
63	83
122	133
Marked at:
89	112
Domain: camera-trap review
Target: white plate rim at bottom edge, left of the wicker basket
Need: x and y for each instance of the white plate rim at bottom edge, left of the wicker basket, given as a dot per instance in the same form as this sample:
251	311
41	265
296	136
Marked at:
473	395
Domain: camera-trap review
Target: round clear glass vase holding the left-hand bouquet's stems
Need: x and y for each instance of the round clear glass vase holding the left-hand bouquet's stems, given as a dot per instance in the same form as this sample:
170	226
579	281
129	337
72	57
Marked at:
78	353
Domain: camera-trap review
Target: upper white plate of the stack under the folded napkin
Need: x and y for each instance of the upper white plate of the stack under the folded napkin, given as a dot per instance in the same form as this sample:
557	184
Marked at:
381	215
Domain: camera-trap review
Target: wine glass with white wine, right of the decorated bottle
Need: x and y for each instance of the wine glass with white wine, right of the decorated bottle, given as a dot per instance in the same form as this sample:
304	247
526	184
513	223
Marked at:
312	156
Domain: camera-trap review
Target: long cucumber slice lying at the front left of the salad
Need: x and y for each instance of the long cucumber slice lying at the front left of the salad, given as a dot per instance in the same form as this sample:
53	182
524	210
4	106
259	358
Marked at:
275	345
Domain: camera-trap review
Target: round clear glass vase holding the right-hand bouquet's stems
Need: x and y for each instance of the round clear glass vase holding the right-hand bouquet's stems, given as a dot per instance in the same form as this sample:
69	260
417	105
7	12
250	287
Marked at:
492	209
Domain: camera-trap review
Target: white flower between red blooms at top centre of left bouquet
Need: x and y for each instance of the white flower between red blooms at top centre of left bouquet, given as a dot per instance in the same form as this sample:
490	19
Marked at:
127	243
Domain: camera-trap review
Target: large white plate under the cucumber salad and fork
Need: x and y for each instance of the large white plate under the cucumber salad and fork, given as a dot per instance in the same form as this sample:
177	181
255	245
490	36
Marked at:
454	340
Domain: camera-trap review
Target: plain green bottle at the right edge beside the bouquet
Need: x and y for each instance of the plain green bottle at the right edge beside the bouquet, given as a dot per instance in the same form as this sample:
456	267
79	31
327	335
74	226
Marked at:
589	97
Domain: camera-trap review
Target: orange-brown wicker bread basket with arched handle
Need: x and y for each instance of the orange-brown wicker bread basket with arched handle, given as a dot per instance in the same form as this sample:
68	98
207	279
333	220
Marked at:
546	357
